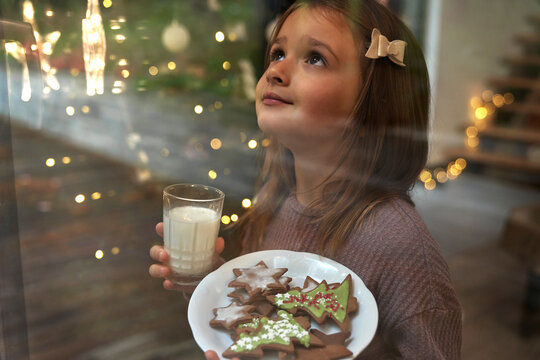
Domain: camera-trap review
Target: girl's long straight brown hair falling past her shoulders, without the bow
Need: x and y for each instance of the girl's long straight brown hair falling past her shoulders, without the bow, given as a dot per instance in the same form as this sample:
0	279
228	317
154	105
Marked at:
384	147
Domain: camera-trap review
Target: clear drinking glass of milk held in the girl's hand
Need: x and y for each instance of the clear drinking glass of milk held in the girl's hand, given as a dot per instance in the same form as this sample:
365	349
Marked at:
191	217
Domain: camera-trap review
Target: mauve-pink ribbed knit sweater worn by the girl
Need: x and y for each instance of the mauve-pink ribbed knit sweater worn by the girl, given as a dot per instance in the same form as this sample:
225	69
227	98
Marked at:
401	264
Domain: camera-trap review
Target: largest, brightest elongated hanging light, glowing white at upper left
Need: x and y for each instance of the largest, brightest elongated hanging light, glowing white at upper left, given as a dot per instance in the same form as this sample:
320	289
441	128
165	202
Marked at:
94	47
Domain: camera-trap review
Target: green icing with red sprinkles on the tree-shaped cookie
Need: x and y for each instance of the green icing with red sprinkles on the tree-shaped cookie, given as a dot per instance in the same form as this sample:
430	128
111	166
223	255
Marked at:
318	301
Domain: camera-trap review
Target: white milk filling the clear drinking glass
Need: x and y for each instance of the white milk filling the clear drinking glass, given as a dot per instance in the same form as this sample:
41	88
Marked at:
189	234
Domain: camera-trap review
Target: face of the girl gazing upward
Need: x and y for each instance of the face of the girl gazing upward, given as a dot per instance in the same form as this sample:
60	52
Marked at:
308	91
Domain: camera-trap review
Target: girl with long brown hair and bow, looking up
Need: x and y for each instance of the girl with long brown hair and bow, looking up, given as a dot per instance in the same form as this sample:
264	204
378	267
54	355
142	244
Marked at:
346	109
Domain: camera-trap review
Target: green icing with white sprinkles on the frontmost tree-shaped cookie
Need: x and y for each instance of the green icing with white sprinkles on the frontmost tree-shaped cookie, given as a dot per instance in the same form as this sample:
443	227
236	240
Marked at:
279	331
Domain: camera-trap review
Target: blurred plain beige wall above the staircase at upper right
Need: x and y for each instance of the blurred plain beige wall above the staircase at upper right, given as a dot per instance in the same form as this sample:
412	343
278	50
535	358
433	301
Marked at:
474	36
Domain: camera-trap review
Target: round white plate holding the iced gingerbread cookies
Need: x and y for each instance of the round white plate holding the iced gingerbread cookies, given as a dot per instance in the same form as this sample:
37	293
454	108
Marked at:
212	293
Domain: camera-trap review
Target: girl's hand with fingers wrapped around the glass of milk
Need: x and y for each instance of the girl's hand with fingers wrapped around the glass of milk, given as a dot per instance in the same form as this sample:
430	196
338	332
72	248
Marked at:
162	271
